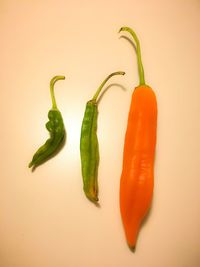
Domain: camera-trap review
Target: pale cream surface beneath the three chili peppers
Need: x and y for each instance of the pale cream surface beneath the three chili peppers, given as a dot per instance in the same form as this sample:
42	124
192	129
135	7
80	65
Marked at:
45	219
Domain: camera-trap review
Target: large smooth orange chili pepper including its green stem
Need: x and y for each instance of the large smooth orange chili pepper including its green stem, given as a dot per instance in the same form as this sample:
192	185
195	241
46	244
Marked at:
137	178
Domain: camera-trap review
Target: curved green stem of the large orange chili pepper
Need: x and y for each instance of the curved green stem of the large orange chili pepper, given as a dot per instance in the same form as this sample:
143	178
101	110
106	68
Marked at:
139	59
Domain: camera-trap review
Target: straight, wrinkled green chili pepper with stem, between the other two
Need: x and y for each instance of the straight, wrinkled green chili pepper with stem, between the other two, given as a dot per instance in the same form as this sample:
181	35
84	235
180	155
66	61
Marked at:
89	149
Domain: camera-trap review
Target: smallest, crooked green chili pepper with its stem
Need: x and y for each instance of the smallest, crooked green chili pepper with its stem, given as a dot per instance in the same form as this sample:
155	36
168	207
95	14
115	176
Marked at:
56	128
